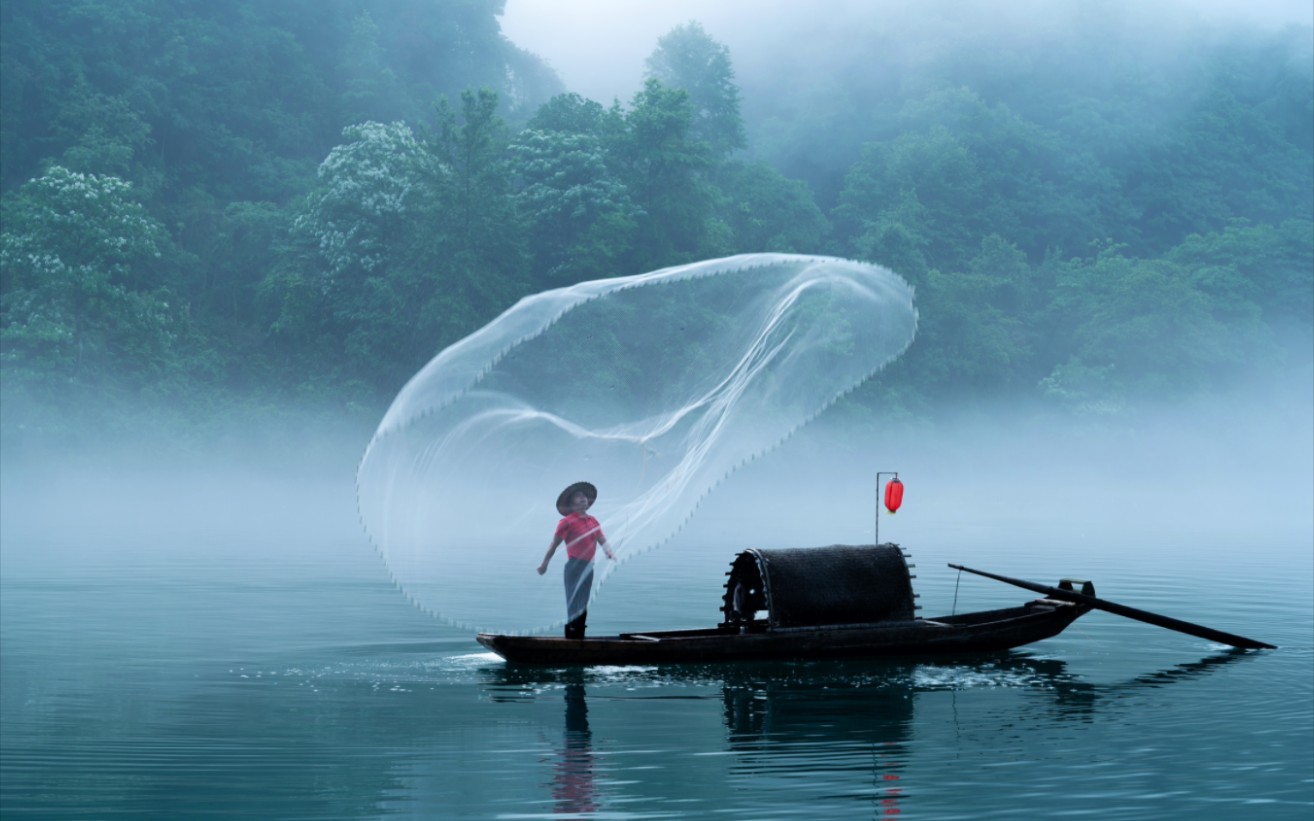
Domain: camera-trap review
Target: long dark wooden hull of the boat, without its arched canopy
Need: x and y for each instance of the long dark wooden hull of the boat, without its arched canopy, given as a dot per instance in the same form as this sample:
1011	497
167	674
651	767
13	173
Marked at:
968	634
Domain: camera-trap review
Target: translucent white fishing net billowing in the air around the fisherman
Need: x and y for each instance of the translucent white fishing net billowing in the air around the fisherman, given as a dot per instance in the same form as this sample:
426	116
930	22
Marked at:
655	388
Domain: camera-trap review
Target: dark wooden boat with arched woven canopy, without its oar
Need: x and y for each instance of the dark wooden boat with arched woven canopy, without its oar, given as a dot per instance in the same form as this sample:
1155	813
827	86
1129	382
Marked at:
811	604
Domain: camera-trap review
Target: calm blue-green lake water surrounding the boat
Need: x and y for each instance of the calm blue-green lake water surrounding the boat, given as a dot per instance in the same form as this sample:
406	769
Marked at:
186	647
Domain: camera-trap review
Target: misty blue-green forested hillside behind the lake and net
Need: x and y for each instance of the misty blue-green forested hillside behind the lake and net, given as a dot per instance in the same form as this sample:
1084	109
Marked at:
233	208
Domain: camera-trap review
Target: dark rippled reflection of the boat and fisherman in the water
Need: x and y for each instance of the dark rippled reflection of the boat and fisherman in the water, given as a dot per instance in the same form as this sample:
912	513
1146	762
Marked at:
846	731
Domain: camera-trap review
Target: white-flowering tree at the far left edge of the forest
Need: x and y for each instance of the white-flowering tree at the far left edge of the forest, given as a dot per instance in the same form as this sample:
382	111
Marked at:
81	303
